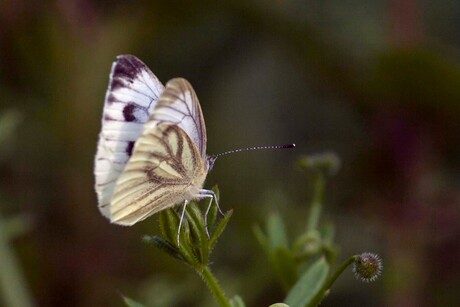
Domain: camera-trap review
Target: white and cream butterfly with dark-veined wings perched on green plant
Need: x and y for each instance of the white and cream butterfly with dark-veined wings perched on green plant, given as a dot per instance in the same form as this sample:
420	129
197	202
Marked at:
151	153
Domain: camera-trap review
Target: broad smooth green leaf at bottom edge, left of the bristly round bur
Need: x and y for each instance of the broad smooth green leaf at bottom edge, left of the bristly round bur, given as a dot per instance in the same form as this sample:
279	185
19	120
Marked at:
308	285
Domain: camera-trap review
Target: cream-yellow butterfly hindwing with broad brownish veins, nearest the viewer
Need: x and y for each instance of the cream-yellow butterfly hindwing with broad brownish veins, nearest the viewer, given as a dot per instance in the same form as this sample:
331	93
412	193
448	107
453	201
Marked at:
165	169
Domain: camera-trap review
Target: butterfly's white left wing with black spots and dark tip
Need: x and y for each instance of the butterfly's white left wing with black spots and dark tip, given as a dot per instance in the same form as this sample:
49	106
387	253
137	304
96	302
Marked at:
130	99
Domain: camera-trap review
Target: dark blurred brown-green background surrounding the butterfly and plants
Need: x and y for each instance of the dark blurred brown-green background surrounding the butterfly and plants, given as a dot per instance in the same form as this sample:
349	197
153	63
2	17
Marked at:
377	82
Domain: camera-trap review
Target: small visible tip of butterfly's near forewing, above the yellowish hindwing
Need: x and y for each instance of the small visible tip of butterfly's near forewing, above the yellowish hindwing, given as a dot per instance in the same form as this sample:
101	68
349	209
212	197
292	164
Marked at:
179	106
